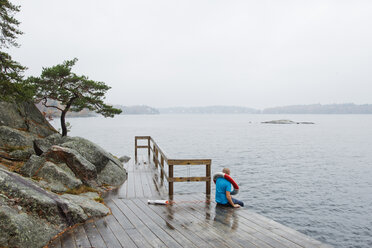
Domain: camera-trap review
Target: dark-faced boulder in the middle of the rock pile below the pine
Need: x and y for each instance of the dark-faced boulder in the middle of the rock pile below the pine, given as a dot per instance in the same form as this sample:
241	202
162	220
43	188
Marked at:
81	167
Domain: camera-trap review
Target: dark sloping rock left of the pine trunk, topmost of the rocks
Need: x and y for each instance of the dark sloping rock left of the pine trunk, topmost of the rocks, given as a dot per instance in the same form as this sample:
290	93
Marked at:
25	116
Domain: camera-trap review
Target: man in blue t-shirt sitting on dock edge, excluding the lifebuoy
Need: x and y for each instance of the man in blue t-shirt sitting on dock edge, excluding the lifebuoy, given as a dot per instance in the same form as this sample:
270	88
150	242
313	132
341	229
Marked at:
223	189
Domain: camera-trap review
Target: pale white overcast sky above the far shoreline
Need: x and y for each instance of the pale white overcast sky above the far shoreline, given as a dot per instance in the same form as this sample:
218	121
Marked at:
207	52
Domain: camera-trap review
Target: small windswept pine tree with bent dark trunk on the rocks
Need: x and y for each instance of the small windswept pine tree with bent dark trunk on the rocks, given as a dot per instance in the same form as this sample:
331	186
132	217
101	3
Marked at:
74	92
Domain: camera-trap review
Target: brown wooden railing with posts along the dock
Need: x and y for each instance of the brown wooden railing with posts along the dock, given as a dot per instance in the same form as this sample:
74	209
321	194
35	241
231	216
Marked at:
160	160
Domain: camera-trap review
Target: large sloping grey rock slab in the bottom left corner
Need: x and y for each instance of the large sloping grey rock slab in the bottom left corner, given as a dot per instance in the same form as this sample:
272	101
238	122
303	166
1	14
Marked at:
30	216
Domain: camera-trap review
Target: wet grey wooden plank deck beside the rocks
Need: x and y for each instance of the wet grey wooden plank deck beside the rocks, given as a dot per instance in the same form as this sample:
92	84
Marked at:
193	221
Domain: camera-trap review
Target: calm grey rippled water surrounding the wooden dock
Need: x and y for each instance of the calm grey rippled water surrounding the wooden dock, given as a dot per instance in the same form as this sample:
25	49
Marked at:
316	179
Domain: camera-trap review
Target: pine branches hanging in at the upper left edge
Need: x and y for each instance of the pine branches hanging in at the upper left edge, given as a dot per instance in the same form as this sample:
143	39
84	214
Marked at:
11	72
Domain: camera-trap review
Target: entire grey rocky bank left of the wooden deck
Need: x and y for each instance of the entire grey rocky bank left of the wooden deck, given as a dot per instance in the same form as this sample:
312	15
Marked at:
48	182
